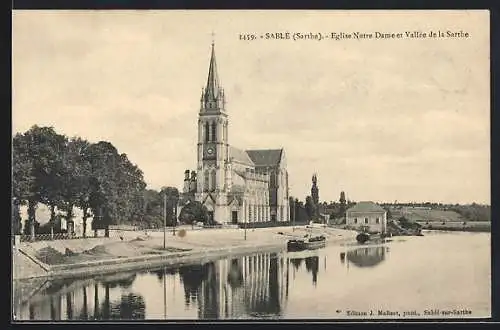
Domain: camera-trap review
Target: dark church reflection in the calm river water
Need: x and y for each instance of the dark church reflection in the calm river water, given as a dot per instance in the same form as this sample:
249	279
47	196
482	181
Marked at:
238	288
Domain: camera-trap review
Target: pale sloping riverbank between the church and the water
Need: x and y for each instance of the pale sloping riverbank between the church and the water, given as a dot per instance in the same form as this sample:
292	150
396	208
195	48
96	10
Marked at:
79	258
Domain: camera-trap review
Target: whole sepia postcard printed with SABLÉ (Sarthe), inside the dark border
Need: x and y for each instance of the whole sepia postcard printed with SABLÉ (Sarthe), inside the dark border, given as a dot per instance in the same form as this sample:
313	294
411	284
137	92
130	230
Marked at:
256	165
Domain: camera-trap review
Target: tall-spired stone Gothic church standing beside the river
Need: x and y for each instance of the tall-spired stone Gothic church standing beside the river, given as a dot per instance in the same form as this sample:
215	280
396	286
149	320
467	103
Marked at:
235	185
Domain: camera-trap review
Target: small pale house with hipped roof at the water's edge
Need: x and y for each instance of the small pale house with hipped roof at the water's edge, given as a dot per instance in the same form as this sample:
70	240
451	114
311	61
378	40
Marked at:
367	215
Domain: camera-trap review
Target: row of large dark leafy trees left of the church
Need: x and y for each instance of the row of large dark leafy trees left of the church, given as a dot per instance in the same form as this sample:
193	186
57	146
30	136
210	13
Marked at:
67	173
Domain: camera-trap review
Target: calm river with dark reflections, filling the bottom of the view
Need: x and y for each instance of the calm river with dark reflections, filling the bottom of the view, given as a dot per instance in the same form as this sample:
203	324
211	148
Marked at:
439	275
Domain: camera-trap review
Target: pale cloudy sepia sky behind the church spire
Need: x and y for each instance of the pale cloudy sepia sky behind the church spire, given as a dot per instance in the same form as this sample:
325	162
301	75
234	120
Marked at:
381	119
